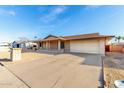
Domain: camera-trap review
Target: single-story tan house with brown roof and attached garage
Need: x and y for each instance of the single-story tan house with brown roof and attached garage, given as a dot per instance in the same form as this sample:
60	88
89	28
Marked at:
84	43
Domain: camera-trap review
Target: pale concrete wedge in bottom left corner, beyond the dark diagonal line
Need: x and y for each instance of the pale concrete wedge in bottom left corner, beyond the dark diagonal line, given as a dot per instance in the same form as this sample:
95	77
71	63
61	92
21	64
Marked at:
8	80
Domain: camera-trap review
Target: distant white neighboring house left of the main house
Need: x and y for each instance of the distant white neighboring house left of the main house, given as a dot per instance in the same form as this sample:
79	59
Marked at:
23	44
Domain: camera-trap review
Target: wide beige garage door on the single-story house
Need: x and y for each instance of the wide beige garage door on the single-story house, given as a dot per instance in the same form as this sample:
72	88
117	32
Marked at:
84	46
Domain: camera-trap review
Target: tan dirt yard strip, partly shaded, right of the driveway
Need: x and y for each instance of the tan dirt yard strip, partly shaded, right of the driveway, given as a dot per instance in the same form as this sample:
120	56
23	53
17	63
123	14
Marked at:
113	68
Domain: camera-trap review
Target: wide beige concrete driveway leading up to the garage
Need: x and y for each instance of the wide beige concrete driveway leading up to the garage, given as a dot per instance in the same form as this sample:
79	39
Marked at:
61	71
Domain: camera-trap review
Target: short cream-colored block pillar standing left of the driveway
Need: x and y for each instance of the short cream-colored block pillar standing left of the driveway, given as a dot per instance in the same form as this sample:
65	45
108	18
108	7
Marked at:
16	54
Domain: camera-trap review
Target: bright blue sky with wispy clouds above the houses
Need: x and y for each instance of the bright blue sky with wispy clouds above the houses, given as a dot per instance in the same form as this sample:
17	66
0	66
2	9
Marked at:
40	21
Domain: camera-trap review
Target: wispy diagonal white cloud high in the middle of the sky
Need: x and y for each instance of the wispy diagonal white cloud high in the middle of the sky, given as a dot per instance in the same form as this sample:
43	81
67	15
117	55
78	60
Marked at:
53	13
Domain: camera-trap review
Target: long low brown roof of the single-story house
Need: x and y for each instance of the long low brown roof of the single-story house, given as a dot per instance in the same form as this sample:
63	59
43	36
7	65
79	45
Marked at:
75	37
